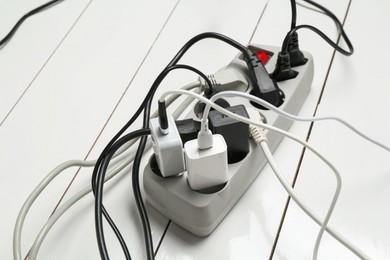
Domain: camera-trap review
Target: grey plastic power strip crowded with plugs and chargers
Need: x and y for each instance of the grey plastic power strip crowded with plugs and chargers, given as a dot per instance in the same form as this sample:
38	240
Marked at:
200	213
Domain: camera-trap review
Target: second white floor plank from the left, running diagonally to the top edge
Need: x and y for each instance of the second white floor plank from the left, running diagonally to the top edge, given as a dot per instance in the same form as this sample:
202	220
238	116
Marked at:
61	115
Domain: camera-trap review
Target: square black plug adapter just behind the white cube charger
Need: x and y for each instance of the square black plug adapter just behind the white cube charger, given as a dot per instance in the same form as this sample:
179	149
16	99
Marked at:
235	133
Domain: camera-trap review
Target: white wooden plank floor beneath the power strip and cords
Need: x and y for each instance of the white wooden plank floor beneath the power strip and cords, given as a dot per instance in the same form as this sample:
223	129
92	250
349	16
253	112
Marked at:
74	74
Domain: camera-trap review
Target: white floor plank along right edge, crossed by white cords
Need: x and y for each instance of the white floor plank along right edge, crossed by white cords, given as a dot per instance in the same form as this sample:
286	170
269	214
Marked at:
357	90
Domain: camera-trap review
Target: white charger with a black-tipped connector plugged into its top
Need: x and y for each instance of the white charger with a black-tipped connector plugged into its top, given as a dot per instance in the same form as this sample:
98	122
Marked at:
168	148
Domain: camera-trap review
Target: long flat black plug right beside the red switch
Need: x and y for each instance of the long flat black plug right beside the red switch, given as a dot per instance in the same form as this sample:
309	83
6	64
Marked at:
263	85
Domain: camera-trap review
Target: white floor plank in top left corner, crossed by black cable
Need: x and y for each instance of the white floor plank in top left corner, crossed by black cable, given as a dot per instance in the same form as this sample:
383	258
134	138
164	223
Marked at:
32	46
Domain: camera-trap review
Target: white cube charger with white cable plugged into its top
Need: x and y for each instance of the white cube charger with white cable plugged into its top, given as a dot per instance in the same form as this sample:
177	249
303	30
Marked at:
206	168
